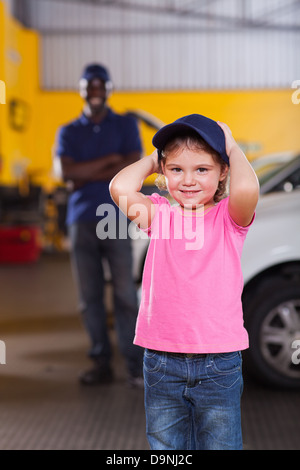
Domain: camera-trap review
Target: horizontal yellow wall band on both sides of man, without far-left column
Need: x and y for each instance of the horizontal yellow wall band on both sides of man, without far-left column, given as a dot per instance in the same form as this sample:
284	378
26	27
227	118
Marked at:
263	121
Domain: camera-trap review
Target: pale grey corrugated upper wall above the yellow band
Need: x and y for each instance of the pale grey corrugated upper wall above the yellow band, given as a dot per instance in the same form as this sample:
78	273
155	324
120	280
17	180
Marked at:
224	44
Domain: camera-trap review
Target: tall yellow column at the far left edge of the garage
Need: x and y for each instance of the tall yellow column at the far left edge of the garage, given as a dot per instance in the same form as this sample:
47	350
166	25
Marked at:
19	71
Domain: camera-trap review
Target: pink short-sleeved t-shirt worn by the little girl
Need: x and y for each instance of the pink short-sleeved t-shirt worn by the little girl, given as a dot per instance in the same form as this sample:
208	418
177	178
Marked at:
192	282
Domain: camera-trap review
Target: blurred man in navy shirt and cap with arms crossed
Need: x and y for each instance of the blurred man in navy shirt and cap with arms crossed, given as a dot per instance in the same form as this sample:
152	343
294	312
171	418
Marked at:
92	149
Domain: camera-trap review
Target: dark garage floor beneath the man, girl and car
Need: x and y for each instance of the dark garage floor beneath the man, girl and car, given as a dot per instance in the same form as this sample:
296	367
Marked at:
42	405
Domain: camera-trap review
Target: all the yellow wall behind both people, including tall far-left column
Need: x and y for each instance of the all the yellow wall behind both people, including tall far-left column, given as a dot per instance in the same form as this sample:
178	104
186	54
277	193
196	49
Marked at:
263	121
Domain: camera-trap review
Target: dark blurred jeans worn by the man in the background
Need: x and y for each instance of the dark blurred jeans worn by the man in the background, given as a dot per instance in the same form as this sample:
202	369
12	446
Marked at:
87	253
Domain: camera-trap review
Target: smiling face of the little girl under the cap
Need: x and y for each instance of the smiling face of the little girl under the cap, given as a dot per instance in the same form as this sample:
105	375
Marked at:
192	177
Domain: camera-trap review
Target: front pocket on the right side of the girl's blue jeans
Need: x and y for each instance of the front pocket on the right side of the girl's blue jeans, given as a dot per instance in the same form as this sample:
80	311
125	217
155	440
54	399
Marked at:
225	369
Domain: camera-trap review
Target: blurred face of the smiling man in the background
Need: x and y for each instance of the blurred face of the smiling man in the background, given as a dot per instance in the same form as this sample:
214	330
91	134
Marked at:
95	94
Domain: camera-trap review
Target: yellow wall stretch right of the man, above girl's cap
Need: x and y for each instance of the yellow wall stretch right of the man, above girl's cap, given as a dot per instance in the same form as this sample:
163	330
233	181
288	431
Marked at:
263	121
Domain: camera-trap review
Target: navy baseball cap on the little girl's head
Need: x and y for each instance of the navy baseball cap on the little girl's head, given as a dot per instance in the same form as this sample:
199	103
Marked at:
205	127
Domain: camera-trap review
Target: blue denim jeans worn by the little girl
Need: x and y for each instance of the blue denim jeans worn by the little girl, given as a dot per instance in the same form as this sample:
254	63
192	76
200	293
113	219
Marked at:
193	402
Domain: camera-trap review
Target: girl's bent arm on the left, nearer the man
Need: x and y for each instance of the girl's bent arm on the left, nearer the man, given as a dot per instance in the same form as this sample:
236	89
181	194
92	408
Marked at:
125	190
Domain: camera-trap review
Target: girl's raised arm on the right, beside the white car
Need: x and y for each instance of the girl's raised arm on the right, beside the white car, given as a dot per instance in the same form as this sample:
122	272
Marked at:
244	186
